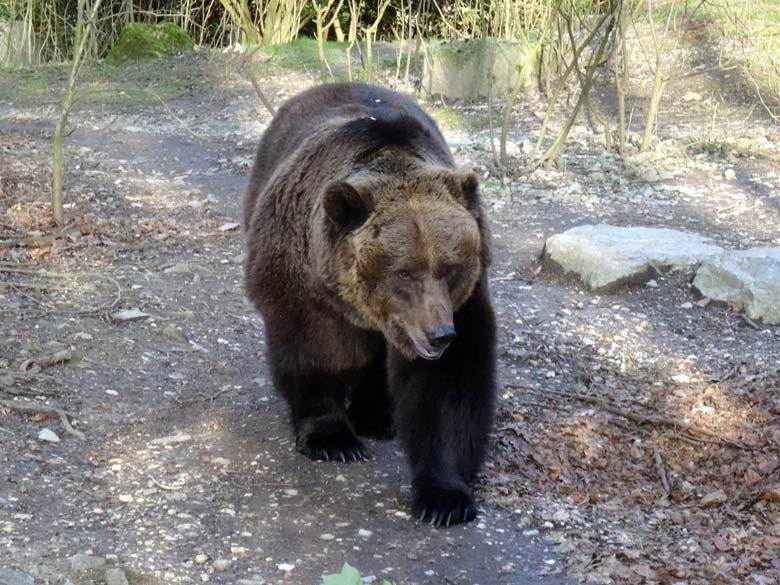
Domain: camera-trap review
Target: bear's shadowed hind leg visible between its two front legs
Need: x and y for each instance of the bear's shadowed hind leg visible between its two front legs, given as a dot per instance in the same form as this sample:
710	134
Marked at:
371	407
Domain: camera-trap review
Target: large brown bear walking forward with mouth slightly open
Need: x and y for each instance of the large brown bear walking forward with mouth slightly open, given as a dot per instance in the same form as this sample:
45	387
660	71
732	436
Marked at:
367	257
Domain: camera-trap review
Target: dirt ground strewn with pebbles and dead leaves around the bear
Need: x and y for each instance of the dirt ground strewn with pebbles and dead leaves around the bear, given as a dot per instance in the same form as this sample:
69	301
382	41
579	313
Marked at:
180	466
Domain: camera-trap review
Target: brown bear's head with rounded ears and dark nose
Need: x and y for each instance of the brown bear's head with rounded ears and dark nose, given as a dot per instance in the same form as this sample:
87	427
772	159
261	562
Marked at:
405	252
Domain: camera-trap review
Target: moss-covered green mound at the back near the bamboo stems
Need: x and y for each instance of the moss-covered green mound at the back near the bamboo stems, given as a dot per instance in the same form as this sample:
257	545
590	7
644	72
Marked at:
148	41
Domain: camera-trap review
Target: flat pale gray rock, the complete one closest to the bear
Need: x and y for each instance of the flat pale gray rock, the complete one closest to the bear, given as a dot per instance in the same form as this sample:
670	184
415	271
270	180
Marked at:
606	256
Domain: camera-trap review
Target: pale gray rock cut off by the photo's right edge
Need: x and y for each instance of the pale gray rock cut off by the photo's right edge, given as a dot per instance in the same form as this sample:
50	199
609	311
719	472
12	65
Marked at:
747	278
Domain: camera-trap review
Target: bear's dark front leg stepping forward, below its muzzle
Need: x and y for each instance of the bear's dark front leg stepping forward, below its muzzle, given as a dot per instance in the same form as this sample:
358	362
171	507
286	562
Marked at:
444	414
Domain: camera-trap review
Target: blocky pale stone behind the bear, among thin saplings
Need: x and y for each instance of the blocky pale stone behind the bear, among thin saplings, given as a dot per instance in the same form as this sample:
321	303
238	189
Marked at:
462	69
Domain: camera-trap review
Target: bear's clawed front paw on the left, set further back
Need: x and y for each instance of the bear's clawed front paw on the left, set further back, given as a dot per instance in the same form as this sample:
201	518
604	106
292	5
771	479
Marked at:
330	441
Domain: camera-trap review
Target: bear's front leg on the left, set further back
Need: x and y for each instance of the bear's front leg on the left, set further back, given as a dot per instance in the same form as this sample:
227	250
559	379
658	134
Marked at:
317	406
